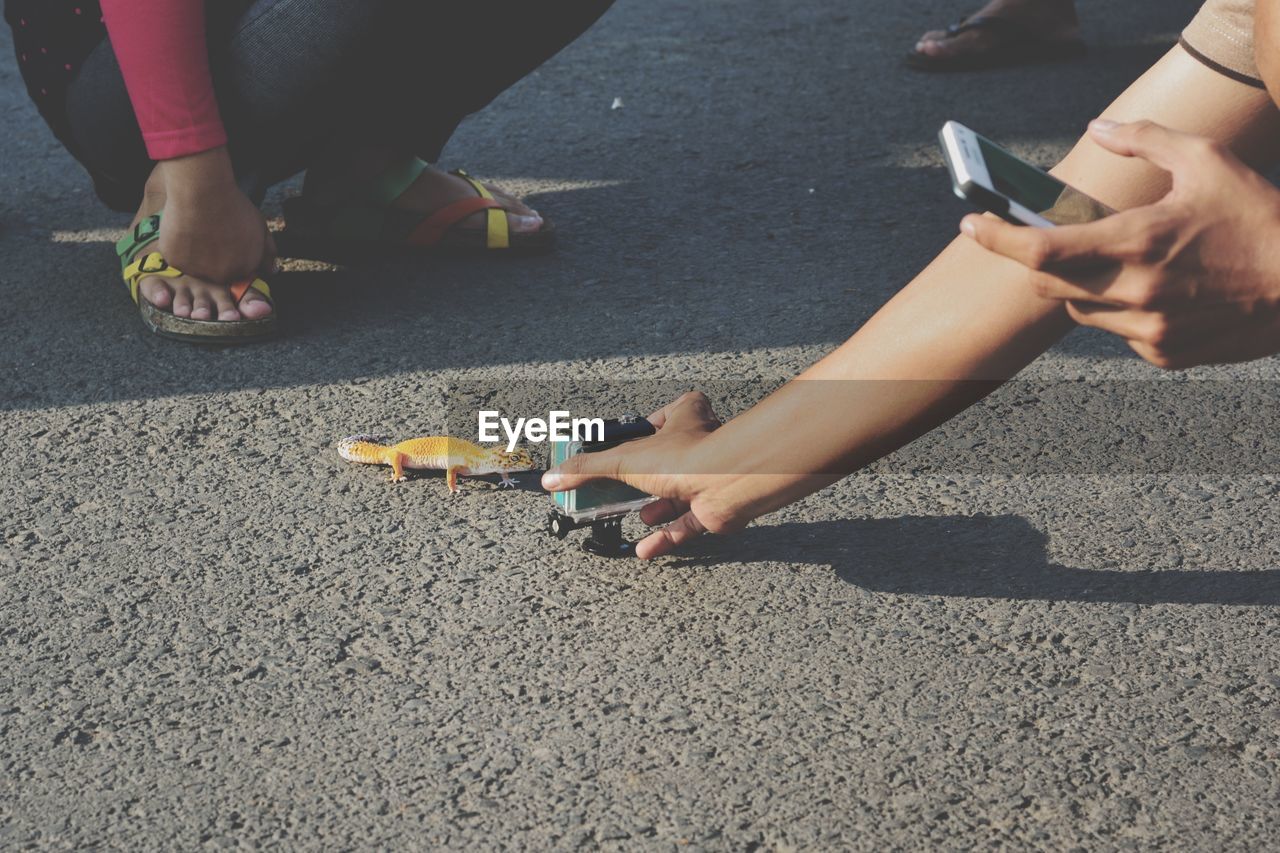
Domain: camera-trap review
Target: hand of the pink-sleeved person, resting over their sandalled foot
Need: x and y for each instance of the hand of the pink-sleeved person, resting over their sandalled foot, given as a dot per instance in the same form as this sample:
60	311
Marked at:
211	230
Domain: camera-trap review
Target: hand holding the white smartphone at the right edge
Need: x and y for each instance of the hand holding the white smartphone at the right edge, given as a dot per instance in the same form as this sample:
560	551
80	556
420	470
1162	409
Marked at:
1191	280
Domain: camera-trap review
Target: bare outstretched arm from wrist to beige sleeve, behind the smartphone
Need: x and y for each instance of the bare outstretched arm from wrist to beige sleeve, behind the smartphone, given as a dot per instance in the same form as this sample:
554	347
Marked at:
970	321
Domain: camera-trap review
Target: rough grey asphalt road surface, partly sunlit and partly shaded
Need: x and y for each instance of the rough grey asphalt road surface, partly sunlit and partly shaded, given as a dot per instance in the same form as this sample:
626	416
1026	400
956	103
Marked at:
216	633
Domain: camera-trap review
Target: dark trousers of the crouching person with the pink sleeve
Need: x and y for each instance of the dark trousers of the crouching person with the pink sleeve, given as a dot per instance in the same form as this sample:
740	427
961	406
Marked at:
300	77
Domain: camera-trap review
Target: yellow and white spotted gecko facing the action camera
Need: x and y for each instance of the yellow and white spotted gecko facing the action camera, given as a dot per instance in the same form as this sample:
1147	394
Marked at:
455	457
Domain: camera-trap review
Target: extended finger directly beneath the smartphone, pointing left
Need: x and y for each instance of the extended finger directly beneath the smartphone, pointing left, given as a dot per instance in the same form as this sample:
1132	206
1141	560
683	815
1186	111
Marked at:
1103	241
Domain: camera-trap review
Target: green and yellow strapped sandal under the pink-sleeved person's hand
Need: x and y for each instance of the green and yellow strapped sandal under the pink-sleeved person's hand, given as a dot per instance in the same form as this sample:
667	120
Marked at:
138	264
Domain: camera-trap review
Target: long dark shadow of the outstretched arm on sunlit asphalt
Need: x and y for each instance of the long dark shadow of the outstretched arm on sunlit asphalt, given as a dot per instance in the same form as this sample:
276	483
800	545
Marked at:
980	558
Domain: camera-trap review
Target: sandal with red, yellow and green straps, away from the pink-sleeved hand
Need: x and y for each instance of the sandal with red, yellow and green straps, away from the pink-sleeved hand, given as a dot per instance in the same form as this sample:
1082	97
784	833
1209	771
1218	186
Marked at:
372	226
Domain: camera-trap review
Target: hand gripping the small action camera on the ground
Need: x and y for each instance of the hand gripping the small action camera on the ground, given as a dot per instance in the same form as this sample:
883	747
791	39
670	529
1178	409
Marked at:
668	466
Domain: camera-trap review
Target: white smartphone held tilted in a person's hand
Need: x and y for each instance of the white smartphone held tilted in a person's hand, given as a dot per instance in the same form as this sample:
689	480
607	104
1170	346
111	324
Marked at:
996	181
